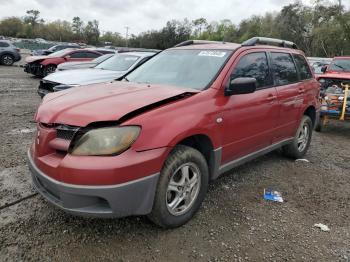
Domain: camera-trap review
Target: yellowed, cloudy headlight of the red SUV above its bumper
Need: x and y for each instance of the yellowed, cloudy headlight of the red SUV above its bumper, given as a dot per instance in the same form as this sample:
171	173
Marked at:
106	141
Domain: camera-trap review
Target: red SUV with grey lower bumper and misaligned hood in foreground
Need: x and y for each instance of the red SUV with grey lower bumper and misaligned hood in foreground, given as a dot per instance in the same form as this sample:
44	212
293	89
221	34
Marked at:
149	145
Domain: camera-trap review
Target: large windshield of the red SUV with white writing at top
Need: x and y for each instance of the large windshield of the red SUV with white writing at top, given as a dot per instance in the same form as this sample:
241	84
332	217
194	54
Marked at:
182	68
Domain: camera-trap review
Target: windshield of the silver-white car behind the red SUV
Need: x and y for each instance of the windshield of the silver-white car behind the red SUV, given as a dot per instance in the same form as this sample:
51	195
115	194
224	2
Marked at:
118	62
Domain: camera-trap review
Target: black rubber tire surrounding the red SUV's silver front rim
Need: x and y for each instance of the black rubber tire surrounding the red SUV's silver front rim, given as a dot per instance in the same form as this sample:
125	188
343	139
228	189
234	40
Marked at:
179	157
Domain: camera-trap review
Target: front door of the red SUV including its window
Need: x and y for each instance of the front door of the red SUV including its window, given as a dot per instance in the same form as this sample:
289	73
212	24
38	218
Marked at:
249	120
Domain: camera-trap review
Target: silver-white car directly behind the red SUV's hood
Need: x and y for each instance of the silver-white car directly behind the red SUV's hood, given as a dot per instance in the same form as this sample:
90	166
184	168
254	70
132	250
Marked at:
114	68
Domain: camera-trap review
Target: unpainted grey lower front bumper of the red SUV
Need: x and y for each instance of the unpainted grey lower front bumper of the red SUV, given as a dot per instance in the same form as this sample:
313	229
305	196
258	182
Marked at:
130	198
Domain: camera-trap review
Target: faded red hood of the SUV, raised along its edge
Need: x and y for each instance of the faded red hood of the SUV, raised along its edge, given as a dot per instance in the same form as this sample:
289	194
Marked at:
80	106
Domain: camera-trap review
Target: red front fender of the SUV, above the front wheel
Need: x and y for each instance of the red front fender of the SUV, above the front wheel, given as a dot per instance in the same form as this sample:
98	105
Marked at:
168	125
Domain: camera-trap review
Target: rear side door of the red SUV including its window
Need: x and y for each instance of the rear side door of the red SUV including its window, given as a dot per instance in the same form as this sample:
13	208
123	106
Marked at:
289	92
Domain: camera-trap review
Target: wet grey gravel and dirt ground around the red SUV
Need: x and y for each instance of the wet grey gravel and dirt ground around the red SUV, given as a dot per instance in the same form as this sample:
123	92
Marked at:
234	223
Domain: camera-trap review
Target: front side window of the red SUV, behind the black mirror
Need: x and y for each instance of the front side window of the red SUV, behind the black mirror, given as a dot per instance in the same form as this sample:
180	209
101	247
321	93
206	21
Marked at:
254	65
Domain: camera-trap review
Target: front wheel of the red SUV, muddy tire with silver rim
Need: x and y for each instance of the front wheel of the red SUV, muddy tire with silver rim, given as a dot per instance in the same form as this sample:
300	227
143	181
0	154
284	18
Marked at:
169	211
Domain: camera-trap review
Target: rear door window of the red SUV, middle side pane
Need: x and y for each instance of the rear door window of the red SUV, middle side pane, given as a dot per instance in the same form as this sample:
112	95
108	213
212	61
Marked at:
283	68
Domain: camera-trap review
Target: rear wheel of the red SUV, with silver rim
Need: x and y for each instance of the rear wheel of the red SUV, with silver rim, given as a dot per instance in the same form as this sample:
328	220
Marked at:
298	148
